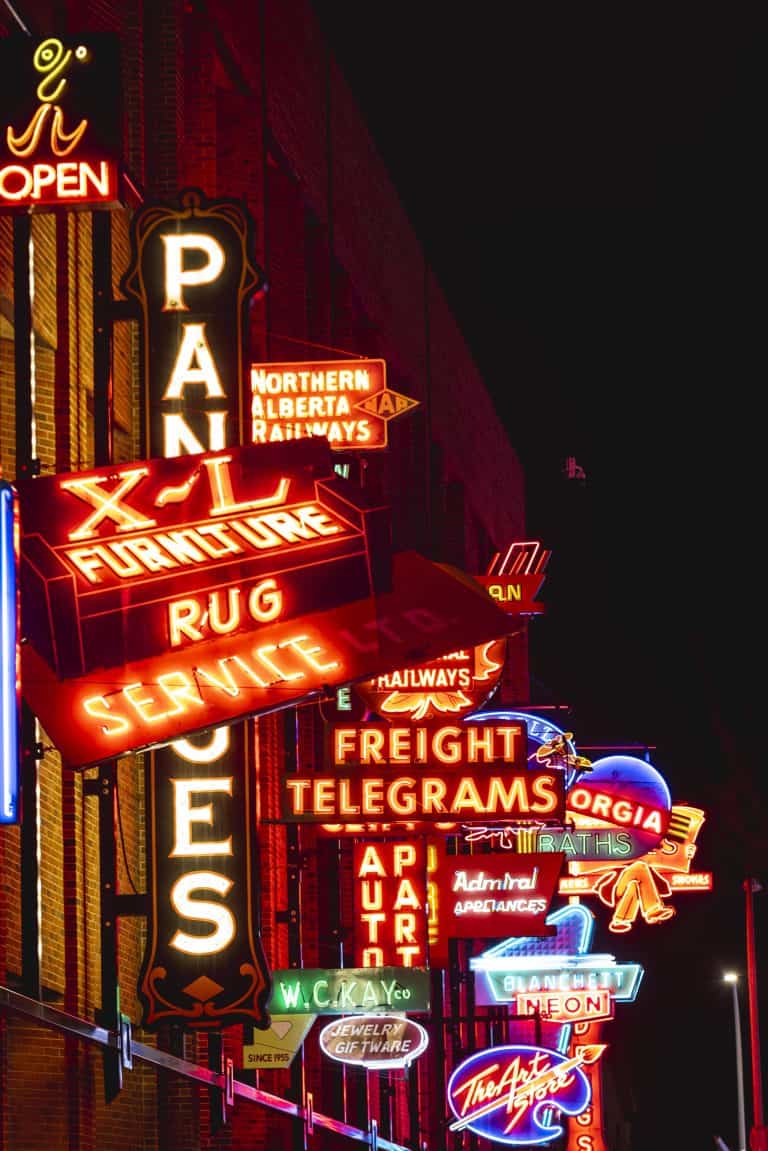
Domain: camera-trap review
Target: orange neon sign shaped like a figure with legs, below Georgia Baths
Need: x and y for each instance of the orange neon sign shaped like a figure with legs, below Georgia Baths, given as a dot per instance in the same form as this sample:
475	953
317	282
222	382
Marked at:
638	890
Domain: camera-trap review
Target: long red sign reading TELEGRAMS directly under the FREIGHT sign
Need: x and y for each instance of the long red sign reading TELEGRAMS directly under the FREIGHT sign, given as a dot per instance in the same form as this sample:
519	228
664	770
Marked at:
448	795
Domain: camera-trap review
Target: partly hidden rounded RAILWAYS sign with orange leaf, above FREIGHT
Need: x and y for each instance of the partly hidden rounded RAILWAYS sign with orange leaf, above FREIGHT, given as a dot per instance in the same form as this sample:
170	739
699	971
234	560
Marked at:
457	683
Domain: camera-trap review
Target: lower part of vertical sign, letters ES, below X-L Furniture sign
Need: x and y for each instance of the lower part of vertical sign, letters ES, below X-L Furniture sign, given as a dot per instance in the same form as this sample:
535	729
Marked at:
203	966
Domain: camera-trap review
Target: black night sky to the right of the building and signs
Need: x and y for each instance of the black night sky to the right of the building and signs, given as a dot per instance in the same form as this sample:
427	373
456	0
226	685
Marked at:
587	181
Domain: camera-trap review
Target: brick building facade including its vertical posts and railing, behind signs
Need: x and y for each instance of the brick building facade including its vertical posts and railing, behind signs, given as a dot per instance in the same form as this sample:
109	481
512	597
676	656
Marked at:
244	102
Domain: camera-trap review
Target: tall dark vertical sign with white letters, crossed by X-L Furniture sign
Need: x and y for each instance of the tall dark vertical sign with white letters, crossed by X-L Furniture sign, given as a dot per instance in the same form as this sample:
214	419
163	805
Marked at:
192	276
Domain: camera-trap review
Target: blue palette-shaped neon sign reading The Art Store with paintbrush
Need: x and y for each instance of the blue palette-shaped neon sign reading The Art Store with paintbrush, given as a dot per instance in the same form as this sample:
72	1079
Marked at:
508	1094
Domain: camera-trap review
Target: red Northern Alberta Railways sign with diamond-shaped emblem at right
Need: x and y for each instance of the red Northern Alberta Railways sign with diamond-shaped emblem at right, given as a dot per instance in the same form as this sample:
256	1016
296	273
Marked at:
346	401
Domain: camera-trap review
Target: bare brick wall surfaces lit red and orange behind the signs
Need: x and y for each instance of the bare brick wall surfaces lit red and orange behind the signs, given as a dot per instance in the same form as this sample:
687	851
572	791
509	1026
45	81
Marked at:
346	276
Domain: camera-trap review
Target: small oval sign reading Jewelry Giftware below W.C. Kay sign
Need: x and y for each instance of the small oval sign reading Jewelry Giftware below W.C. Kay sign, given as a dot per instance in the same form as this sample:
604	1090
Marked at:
378	1042
